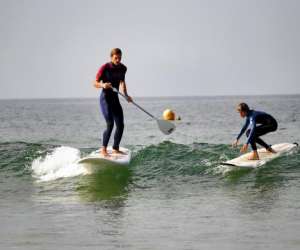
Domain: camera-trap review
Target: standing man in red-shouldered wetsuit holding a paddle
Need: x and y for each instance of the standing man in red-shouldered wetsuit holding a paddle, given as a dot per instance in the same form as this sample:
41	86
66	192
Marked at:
112	75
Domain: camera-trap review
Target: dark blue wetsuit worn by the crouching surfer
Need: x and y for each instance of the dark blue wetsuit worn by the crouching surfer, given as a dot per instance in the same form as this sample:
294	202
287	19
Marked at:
267	124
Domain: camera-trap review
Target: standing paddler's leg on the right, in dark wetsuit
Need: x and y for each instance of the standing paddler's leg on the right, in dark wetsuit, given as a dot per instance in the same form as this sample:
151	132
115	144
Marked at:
119	120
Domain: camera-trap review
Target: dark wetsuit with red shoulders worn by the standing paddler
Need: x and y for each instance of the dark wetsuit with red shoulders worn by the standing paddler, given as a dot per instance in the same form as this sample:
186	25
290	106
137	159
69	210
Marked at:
109	102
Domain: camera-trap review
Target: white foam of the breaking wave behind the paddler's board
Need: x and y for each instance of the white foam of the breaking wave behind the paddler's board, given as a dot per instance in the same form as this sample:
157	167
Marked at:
58	164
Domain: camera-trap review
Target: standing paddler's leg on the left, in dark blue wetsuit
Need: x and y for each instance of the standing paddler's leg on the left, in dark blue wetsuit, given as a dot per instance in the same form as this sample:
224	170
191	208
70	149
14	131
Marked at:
108	116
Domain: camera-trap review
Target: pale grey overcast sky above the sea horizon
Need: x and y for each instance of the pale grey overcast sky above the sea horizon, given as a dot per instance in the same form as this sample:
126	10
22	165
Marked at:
53	48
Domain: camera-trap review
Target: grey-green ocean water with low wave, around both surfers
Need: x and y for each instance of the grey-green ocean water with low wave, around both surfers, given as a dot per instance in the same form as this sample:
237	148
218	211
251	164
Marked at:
174	194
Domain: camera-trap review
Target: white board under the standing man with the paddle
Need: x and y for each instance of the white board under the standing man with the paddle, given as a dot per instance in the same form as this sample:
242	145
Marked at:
95	159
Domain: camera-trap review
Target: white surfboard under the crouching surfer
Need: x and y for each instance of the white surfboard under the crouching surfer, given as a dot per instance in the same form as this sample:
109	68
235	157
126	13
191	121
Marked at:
264	156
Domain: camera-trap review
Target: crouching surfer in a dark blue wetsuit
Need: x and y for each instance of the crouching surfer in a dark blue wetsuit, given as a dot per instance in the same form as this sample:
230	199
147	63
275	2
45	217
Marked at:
267	124
